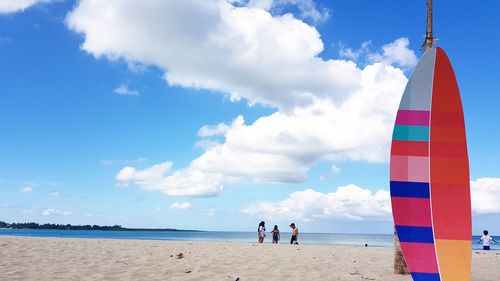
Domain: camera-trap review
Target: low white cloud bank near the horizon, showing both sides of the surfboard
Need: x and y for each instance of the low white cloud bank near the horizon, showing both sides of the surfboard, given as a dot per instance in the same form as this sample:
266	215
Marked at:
356	203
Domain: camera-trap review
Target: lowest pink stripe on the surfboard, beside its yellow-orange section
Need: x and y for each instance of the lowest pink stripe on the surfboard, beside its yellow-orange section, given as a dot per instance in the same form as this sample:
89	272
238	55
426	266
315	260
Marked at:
420	257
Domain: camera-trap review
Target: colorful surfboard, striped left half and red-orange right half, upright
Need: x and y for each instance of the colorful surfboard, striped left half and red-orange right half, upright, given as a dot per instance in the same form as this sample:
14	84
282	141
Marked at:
430	190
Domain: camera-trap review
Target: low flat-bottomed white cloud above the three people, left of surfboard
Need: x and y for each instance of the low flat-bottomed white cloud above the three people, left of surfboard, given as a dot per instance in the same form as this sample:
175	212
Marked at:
350	202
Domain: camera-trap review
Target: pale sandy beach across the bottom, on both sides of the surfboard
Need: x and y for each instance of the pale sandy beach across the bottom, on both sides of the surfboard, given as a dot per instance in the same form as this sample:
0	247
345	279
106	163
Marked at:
32	258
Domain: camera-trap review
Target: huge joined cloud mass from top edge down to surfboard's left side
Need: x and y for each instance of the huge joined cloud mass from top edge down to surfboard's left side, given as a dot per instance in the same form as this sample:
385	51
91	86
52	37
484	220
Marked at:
325	109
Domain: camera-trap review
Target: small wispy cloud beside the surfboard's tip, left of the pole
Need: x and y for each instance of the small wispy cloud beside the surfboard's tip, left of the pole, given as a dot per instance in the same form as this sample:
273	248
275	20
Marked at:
397	53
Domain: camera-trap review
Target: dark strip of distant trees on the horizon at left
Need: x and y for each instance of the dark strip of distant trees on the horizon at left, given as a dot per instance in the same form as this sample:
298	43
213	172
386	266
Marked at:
34	225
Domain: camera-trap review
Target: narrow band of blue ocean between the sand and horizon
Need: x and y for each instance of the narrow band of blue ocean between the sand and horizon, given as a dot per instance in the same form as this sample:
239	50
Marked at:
377	240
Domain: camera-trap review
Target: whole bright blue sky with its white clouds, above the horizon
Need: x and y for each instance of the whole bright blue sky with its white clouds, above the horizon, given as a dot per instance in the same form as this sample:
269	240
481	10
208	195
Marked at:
218	114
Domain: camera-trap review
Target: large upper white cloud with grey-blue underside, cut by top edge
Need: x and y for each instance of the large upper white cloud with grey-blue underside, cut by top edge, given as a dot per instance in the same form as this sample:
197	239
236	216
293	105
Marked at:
245	52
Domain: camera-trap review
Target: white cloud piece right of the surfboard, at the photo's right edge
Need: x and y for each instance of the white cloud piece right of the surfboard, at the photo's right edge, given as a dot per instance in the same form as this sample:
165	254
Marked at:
485	195
